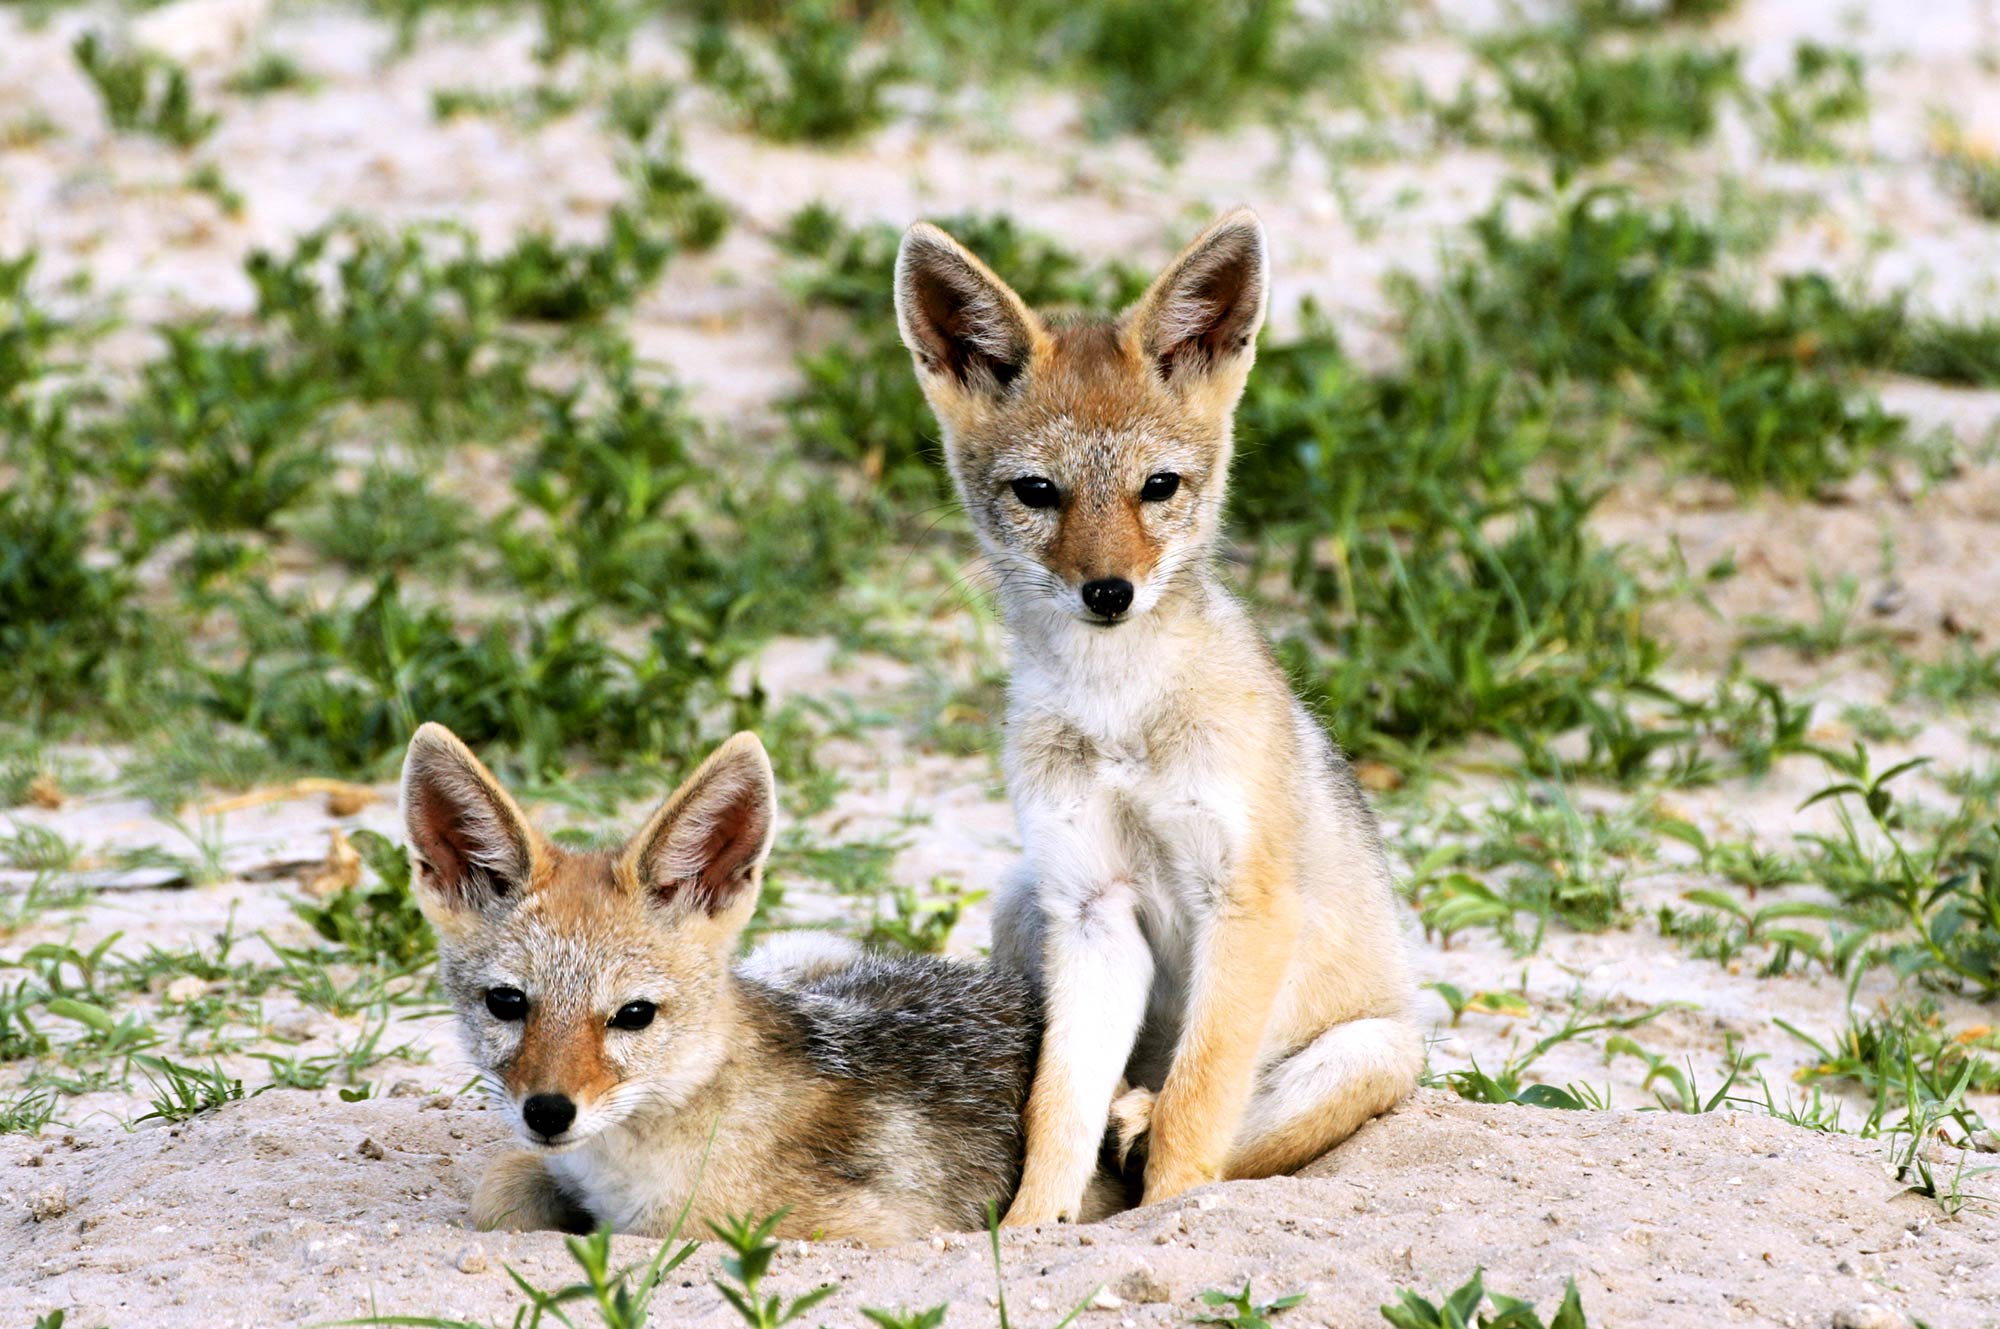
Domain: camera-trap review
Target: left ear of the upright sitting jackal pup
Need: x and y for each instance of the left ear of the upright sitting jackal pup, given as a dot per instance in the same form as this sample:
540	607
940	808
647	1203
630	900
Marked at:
967	329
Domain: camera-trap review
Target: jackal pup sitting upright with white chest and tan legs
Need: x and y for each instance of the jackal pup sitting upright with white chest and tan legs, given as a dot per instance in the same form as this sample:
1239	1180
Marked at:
1203	892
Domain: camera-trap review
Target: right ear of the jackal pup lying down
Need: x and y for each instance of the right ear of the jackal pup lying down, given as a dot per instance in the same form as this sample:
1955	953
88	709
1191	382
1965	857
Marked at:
705	850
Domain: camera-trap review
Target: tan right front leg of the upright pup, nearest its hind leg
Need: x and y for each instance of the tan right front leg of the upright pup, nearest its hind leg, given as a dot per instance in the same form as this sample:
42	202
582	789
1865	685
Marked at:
1241	962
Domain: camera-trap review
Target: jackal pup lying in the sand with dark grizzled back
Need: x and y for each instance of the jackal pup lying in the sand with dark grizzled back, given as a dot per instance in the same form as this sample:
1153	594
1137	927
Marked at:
879	1098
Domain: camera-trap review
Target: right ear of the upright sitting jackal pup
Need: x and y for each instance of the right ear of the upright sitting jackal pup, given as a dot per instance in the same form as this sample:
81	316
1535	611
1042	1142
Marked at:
1199	319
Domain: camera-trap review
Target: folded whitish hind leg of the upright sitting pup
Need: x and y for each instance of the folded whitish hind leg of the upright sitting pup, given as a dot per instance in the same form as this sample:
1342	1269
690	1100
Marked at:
1323	1094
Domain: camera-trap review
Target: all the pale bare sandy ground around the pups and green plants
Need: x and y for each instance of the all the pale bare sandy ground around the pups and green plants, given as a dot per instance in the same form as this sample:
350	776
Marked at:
267	1212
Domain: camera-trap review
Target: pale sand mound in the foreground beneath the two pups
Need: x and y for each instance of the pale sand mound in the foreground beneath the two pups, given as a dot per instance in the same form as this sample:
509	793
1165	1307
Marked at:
295	1210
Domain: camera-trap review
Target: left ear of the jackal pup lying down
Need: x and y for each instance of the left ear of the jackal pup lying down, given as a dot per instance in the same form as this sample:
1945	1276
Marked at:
469	844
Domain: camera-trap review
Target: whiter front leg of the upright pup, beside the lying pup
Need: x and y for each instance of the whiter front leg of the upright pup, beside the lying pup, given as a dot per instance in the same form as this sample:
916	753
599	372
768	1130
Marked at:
1097	970
